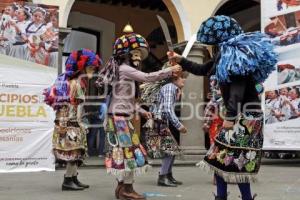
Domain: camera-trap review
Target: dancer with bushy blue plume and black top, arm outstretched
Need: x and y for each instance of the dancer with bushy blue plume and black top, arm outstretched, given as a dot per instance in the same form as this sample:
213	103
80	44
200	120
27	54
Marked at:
243	61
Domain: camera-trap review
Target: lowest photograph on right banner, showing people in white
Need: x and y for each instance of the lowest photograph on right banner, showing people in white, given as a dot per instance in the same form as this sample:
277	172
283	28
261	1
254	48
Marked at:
282	104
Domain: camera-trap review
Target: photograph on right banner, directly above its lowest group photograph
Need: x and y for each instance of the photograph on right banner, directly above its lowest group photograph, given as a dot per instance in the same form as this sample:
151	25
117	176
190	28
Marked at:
288	71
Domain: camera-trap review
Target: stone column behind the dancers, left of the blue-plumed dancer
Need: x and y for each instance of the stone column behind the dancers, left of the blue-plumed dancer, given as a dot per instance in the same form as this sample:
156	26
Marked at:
193	95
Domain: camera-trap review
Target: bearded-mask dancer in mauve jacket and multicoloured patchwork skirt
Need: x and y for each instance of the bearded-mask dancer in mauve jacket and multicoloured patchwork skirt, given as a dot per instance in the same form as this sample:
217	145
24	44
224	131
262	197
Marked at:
126	156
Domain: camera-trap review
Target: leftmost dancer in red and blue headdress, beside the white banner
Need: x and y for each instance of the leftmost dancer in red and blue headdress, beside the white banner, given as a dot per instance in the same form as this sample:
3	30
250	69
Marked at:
65	96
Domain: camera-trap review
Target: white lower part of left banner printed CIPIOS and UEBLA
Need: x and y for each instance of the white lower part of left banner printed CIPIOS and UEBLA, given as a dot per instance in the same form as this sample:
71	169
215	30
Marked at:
26	123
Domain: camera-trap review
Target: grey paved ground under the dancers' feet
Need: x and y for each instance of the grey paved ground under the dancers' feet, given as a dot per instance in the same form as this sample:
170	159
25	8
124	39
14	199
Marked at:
278	181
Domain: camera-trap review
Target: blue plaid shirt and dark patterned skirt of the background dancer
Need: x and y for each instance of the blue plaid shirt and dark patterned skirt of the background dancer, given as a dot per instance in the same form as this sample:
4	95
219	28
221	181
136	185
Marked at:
162	97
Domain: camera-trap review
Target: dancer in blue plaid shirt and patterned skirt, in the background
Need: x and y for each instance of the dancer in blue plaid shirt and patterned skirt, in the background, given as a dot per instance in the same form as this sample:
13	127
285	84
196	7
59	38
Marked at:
160	140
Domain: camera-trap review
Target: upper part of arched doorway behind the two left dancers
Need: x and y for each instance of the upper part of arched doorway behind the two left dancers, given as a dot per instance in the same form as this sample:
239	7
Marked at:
96	24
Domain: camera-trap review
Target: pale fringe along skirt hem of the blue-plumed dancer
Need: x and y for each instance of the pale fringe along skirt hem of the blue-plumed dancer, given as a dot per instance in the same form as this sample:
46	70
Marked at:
229	177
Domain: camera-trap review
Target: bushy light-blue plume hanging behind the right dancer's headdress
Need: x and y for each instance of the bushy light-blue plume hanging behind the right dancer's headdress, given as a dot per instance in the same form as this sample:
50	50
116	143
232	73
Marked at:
245	54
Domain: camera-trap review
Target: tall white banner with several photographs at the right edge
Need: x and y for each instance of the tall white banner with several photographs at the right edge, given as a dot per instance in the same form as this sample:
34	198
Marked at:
281	22
